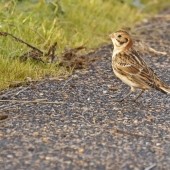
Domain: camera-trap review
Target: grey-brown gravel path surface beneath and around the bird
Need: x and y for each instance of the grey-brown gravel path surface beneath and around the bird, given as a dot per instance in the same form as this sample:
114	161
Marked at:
85	128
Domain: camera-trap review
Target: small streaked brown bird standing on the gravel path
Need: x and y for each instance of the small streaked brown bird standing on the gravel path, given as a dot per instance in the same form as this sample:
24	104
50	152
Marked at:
131	68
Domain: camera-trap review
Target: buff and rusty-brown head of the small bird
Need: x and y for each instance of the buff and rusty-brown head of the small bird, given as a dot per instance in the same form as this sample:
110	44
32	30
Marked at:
121	40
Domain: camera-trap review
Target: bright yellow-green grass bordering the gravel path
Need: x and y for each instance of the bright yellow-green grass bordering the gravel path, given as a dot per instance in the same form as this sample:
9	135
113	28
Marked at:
69	22
